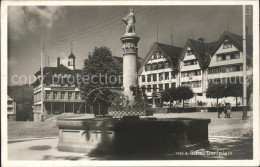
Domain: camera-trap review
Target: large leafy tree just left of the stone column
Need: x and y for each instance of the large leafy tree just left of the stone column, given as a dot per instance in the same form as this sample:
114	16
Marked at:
101	69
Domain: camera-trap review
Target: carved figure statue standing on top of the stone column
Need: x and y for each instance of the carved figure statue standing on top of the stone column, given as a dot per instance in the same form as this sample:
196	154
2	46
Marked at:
129	21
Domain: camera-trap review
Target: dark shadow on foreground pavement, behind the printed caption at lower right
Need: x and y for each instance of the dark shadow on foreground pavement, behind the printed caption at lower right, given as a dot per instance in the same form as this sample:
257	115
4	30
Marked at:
219	149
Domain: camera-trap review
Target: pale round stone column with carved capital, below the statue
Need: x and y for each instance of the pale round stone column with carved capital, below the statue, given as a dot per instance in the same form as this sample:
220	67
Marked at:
130	52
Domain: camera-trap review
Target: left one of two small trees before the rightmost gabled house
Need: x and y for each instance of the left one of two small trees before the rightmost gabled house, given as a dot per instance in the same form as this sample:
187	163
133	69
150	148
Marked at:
216	90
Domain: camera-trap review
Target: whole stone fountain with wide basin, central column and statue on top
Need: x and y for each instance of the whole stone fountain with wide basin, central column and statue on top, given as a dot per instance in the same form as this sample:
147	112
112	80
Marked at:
130	134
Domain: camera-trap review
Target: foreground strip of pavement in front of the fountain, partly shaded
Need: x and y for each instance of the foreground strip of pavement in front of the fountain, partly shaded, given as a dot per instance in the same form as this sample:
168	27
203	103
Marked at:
46	149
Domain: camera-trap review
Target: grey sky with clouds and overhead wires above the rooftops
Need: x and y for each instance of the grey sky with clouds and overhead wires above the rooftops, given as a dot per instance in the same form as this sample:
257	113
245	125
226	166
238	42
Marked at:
85	27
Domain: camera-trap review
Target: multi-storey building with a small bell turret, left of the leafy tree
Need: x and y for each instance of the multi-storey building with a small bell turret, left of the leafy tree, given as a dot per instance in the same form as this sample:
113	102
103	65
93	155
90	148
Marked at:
61	92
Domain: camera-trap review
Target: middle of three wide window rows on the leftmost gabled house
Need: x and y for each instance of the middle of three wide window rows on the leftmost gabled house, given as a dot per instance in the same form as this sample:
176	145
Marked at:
161	76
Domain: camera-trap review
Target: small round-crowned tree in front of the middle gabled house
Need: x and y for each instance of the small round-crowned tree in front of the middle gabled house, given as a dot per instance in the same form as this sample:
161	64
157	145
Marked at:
184	93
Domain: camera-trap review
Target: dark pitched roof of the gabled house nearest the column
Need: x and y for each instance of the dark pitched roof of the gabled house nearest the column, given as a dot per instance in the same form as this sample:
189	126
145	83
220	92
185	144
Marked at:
171	53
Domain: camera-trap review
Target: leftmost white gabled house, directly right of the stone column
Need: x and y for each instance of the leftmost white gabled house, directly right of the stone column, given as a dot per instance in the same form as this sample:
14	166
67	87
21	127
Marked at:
159	68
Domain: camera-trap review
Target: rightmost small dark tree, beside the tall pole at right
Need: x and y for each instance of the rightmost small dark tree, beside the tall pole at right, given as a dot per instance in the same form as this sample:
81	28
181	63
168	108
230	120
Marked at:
235	90
